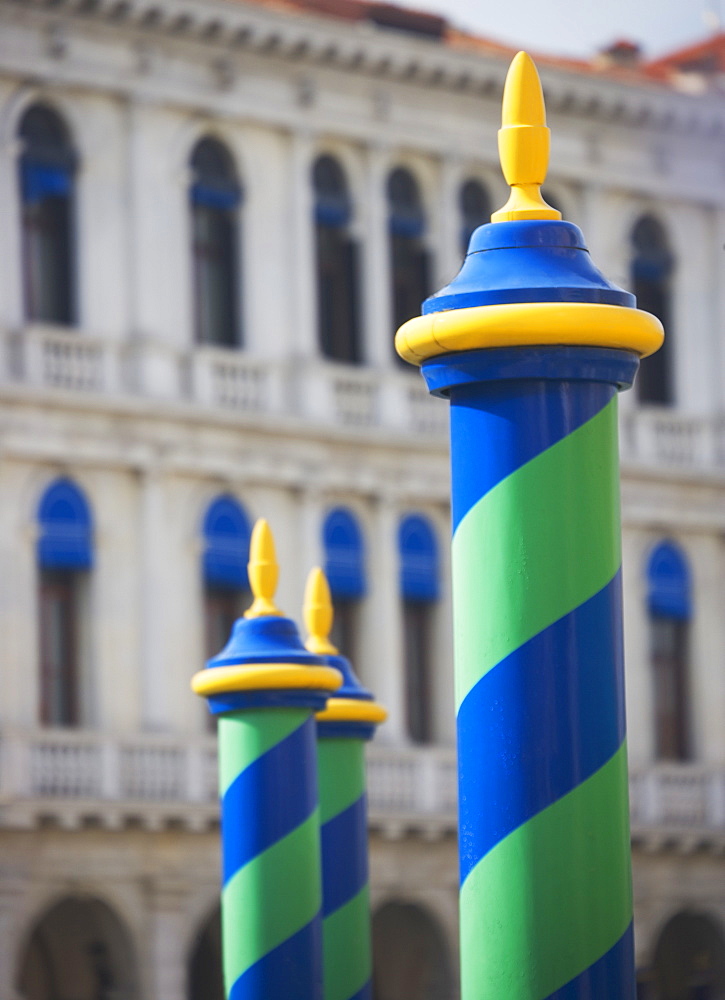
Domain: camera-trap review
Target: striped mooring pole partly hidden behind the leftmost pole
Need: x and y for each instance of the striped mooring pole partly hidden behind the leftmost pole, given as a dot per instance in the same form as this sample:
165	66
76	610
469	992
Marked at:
349	719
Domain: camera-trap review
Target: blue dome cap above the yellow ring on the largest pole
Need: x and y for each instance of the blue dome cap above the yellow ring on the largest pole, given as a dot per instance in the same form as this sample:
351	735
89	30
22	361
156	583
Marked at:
539	260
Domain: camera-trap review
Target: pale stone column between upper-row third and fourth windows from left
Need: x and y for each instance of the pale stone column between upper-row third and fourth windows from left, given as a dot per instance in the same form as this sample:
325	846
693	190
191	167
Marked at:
376	297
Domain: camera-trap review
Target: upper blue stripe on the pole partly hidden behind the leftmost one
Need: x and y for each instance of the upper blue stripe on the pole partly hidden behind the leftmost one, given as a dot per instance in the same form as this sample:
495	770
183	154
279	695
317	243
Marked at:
344	845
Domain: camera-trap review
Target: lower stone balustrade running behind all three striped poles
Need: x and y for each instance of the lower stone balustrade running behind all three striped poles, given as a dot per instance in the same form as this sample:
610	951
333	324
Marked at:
74	778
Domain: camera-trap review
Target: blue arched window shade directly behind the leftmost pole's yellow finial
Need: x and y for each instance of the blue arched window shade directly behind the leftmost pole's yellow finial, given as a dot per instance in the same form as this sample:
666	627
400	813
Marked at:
226	545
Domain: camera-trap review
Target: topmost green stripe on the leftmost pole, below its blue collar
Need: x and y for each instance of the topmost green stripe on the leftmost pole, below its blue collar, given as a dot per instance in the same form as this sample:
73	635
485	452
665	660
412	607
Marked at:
243	737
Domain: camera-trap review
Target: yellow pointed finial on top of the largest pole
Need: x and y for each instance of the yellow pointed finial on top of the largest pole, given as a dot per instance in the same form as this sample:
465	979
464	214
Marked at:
523	143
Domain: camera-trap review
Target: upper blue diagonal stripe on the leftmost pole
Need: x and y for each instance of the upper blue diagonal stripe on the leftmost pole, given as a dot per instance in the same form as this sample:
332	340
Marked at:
269	799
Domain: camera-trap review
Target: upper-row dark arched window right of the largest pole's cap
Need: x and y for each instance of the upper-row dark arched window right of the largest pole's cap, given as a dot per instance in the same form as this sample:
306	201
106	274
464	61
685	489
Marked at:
651	281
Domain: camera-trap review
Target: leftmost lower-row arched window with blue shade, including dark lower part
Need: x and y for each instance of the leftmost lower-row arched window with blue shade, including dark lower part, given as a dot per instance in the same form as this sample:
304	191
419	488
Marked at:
65	555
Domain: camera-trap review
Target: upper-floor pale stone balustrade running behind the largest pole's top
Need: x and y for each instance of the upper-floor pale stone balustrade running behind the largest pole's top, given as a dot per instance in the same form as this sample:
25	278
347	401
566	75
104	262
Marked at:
328	393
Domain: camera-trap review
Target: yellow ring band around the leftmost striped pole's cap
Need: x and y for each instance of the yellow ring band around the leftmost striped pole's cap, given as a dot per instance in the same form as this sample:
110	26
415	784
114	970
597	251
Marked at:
265	677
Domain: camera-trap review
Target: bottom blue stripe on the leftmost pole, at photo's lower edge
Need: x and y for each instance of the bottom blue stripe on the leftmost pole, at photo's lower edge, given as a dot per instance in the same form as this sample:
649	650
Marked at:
291	971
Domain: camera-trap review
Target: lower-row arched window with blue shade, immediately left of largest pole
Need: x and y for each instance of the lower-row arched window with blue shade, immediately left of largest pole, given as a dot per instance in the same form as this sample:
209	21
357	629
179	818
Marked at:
419	589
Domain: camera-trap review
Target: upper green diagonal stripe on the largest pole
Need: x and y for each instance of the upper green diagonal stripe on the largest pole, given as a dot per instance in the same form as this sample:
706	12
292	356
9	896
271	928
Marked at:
539	544
